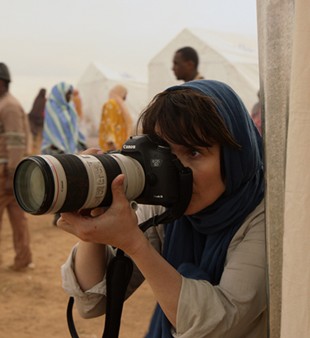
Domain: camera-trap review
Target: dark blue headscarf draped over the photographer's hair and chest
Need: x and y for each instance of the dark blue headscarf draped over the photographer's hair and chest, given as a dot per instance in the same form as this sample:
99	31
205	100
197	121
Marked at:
197	245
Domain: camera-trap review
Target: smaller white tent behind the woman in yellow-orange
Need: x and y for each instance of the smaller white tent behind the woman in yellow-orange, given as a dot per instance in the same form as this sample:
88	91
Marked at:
94	86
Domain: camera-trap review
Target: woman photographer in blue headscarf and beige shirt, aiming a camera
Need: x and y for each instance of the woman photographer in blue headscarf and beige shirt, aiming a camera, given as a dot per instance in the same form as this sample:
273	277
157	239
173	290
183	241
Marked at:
207	268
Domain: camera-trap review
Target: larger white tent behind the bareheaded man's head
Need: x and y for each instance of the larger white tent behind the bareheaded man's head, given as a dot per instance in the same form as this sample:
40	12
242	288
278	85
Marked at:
226	57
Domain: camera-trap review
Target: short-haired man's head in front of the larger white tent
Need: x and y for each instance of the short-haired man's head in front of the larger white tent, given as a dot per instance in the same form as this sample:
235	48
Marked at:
185	64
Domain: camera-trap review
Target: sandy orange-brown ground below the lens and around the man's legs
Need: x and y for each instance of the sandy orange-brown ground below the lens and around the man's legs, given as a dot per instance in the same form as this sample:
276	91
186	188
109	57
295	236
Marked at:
33	303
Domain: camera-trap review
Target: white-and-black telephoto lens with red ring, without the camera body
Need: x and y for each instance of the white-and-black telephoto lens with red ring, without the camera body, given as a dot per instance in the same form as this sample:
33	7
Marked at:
52	184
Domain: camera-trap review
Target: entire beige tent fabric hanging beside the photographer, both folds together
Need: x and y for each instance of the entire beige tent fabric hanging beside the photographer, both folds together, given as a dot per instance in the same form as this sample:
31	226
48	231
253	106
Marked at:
283	31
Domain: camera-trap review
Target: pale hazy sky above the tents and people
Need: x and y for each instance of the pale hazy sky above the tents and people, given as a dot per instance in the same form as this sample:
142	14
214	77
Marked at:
46	41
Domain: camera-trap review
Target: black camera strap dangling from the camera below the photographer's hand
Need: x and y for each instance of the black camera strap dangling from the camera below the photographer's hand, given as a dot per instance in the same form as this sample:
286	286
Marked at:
120	268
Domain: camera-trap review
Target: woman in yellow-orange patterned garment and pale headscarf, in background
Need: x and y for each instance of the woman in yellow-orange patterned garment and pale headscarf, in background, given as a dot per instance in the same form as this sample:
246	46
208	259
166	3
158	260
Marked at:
116	122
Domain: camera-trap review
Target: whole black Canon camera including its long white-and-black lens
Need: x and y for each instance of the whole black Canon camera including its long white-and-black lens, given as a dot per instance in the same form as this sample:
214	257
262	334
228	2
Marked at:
60	183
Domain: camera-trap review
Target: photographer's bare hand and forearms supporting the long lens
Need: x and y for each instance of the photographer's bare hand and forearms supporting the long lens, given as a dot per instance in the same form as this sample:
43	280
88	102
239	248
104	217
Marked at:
118	226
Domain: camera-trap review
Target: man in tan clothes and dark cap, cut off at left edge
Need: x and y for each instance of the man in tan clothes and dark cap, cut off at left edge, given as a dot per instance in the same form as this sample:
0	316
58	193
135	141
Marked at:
14	137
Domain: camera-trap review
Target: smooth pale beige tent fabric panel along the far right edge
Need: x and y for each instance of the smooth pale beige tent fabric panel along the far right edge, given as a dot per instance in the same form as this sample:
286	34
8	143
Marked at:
296	253
